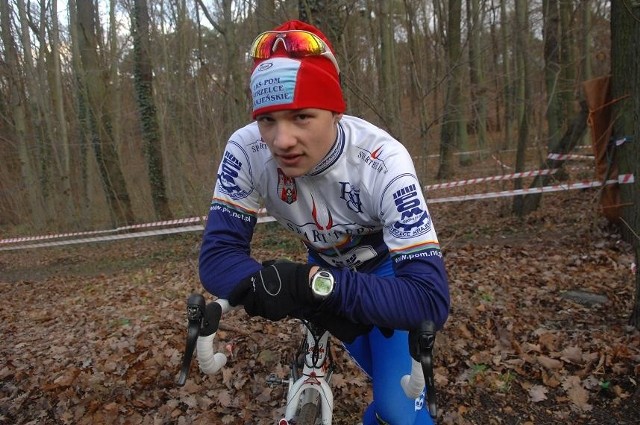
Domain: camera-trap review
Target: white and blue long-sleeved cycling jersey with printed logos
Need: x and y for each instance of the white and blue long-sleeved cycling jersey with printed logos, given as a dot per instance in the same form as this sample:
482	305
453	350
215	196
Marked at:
361	206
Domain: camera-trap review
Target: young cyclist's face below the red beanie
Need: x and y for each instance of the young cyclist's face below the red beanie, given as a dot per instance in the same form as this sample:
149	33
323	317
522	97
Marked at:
299	138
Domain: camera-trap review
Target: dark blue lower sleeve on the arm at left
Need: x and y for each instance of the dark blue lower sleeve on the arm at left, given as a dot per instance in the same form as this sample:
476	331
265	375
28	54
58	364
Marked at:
225	255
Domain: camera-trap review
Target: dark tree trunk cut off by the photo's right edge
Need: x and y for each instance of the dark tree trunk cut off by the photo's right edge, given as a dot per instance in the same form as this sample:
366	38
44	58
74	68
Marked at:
625	91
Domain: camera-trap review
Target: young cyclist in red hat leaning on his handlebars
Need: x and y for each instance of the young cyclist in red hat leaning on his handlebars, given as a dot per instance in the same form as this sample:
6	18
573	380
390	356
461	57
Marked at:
349	191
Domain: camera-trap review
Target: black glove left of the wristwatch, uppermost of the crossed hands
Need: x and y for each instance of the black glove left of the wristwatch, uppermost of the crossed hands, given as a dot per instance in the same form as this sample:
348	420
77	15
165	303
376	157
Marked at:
275	291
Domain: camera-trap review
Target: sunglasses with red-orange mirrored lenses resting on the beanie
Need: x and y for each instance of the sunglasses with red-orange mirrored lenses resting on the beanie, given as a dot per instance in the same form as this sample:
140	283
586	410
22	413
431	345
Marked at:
297	43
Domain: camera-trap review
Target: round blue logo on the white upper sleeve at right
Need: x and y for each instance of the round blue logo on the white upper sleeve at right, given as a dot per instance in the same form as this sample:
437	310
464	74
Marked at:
414	220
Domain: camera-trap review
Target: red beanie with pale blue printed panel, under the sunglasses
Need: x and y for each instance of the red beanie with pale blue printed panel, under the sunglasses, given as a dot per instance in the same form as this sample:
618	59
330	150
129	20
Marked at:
281	82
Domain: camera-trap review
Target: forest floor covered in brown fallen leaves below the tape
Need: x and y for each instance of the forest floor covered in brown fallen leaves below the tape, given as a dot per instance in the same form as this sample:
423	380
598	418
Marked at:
538	332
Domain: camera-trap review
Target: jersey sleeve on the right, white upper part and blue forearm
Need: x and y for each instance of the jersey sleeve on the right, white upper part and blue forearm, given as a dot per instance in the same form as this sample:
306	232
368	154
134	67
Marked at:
418	289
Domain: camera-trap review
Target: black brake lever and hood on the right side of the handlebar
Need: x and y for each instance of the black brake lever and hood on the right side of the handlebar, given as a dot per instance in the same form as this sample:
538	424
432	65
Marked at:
421	348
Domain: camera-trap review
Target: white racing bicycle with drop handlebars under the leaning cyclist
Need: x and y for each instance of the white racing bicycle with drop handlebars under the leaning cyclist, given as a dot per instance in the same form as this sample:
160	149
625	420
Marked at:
309	395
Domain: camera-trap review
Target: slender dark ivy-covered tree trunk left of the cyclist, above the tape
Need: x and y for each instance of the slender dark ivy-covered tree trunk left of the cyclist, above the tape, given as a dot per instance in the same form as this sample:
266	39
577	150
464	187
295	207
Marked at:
143	72
